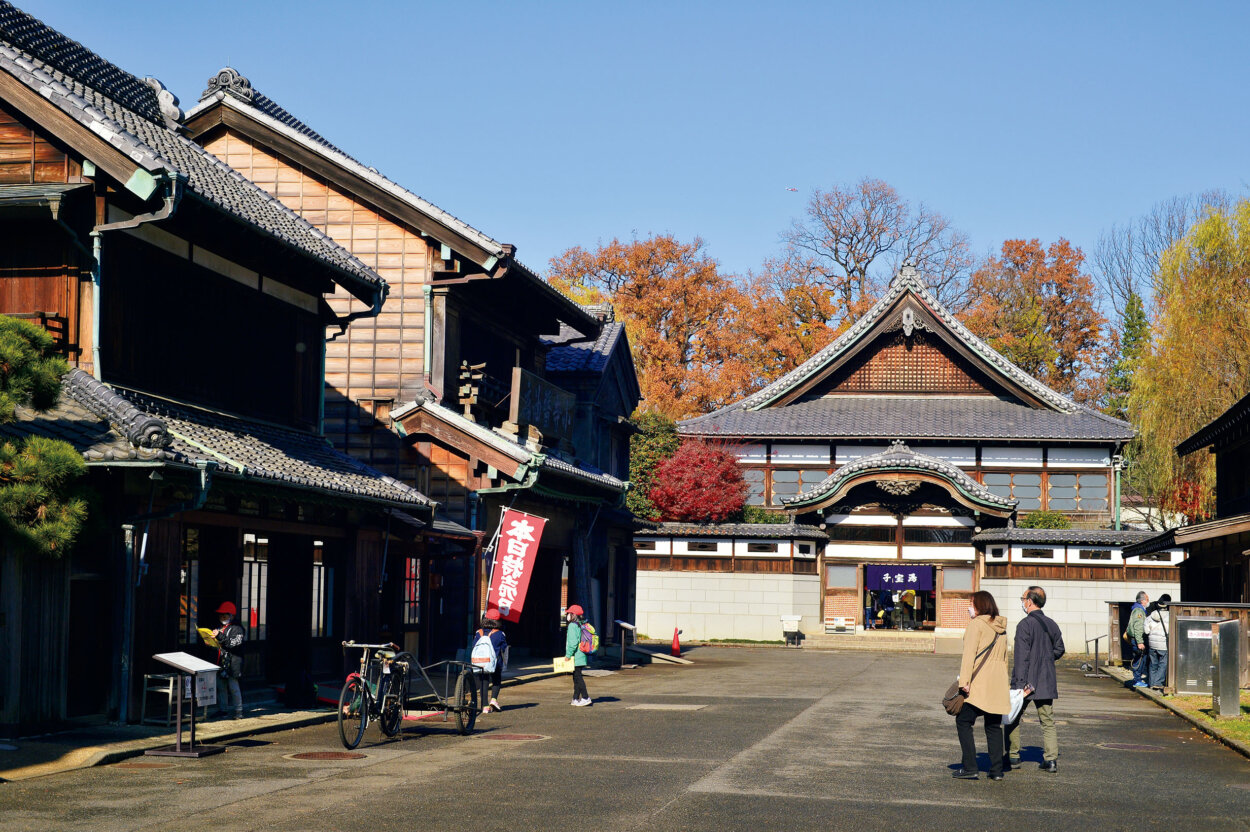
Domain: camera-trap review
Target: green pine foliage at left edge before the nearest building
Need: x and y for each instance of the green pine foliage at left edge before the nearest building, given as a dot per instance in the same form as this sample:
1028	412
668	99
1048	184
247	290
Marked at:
38	509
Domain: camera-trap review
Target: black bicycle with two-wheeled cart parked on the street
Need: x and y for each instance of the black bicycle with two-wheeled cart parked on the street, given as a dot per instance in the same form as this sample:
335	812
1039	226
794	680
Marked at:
381	691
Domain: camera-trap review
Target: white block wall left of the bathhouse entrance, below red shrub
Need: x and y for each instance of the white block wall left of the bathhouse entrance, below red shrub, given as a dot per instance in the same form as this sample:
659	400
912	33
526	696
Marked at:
718	605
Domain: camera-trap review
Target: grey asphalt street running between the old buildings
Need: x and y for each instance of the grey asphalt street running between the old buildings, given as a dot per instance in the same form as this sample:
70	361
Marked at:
742	740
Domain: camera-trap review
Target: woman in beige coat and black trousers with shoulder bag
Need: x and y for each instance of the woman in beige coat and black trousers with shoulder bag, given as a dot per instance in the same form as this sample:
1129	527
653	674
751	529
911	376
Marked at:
986	690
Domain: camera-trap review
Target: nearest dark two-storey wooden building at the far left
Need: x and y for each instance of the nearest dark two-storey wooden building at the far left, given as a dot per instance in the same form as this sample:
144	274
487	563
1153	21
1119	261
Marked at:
192	307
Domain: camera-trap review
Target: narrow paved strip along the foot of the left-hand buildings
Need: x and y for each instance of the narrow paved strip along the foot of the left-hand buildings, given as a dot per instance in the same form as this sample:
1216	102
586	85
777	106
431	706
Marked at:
103	744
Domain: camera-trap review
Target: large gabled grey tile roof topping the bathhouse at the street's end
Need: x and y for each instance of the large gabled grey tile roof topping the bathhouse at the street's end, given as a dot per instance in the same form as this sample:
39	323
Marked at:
1087	423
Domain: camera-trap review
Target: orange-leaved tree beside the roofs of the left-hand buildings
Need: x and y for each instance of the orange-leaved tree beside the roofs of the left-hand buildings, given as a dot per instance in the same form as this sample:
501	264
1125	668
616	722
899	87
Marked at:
686	320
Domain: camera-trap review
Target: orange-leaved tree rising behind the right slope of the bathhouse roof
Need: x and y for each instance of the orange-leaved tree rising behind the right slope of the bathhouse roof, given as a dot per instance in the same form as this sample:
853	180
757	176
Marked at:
1037	307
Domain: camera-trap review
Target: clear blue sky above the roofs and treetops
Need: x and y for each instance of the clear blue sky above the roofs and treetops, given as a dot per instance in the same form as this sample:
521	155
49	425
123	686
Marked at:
549	126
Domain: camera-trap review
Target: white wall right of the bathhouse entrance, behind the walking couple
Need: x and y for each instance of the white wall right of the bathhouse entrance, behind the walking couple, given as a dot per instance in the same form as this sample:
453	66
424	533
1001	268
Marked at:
1079	608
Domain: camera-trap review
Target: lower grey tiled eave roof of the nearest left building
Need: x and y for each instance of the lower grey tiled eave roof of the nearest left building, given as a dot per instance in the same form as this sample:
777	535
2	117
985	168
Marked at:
111	425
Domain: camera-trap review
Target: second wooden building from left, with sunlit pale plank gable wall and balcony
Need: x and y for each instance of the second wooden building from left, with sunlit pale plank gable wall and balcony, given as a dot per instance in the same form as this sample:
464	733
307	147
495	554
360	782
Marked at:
454	372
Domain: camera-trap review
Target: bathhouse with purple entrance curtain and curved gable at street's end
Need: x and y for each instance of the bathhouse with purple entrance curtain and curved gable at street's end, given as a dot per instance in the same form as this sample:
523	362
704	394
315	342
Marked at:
917	447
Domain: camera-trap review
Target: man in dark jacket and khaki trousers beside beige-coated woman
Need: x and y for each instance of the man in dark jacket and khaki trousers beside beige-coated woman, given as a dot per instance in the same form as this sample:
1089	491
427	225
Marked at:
1039	644
